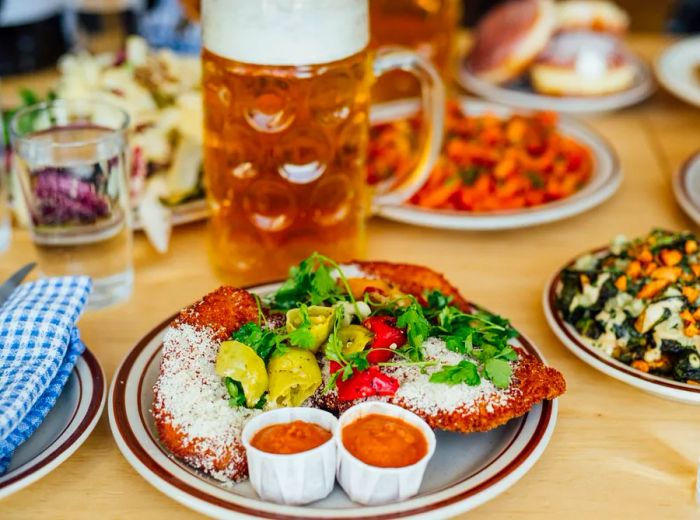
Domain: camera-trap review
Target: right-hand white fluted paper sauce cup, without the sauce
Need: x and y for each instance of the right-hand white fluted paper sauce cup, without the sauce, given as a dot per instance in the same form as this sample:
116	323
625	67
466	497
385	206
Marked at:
370	485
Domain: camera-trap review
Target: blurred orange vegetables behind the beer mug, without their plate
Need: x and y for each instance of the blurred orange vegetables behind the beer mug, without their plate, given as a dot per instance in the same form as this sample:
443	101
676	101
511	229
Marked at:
488	163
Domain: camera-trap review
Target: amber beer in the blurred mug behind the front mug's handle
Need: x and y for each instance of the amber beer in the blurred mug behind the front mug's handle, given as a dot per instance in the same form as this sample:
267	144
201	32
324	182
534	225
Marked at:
426	26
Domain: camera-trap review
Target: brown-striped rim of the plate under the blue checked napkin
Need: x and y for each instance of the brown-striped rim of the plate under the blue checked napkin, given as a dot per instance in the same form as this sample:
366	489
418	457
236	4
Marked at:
32	471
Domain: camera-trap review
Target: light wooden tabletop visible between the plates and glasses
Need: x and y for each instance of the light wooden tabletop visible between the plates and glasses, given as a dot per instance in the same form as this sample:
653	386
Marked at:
615	450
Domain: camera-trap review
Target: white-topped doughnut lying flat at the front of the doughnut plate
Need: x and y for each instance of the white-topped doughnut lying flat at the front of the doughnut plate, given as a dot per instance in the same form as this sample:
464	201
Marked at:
583	63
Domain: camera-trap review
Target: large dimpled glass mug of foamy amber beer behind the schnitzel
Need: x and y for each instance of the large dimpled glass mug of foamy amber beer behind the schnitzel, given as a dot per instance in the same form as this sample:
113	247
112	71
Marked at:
286	86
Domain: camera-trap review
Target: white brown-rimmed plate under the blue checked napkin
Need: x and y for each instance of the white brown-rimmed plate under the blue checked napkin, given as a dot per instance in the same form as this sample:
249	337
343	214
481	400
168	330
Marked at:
65	428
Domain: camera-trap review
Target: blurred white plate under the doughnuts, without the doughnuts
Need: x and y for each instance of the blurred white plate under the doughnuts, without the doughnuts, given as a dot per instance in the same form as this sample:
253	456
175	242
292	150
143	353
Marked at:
522	95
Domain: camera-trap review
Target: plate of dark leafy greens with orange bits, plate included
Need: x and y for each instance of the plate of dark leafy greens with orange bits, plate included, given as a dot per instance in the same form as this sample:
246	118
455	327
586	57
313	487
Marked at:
632	311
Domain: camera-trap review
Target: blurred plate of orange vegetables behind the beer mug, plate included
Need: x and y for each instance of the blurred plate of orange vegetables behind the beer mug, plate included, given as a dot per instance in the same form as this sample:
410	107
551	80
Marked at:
499	169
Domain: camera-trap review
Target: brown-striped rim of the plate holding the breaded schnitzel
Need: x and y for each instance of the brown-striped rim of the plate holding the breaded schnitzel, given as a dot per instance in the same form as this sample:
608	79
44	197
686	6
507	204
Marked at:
141	457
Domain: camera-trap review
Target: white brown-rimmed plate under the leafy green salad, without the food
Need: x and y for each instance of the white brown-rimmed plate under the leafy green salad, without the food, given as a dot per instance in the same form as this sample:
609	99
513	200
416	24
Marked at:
572	340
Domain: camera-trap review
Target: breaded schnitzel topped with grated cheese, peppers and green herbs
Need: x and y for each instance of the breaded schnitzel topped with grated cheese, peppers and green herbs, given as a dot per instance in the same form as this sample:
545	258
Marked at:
325	350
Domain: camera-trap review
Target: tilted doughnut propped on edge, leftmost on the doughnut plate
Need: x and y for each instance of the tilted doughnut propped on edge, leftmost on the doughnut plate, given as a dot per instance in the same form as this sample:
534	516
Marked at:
509	38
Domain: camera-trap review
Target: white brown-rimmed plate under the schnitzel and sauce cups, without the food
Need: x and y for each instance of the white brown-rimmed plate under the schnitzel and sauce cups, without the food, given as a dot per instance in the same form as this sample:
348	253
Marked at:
466	470
